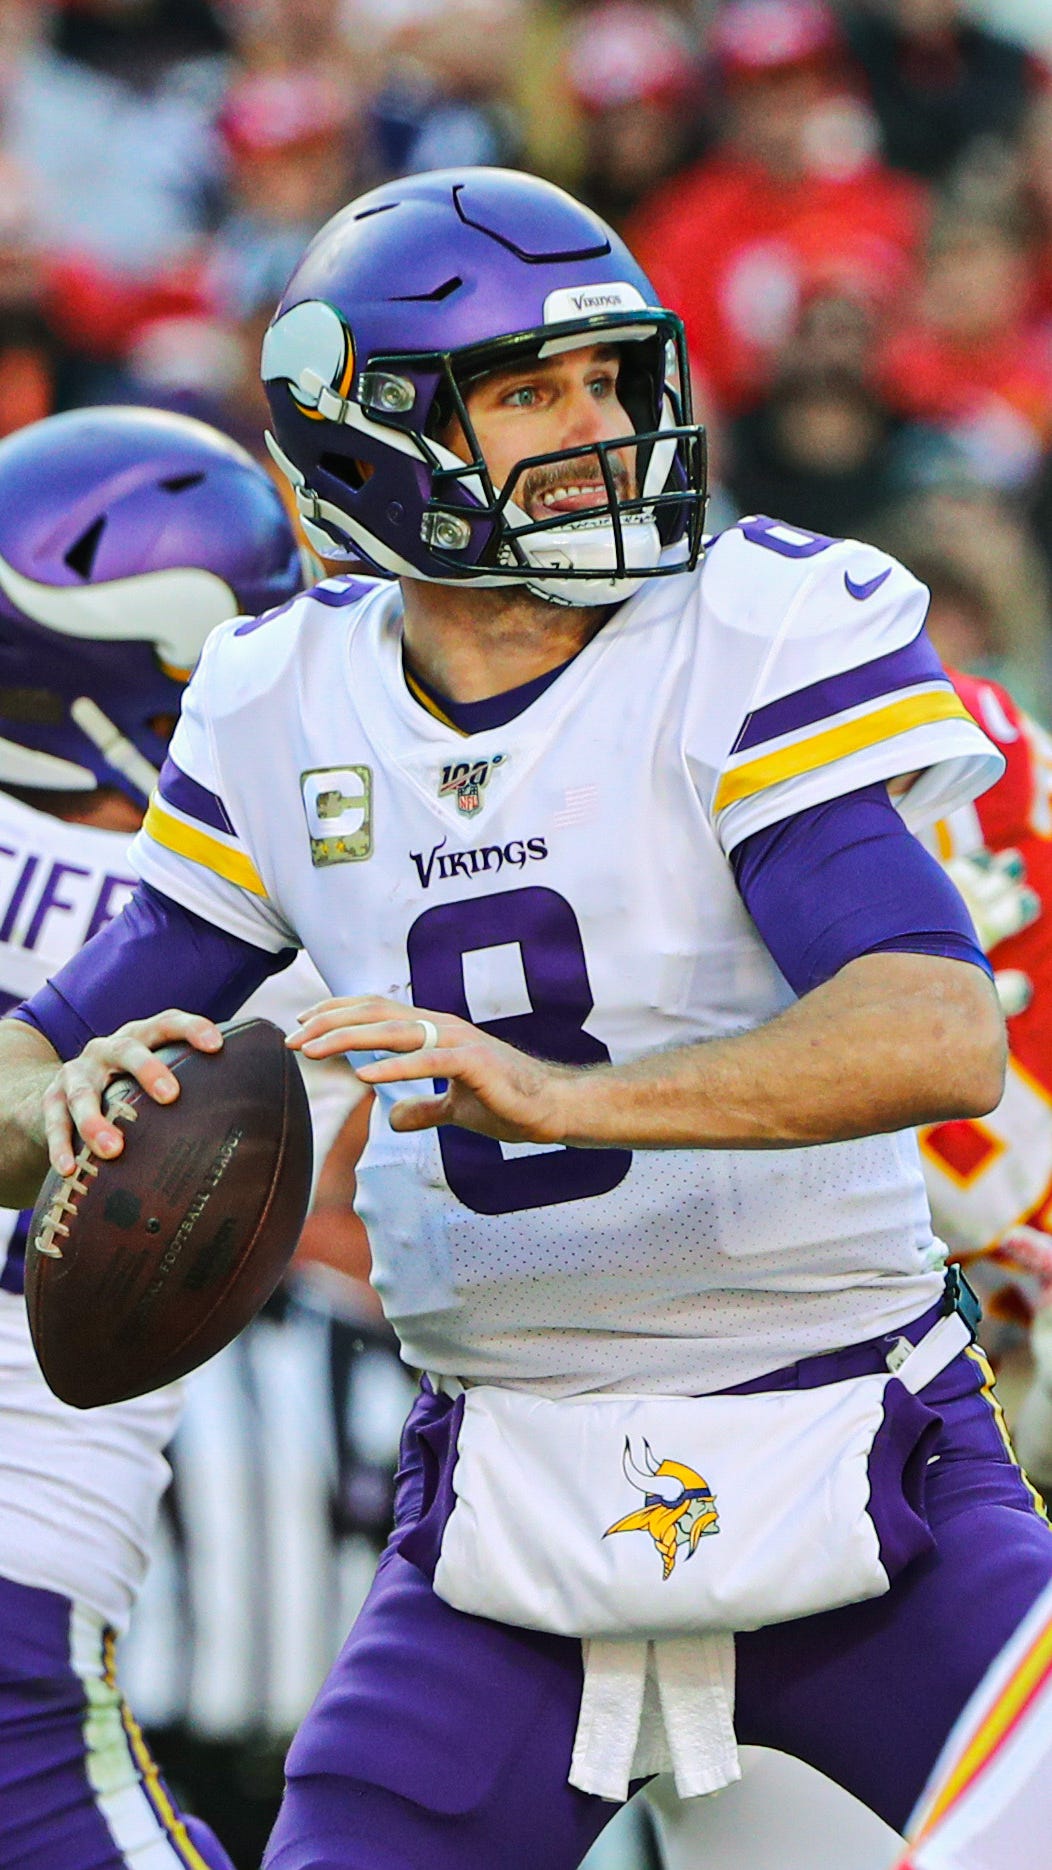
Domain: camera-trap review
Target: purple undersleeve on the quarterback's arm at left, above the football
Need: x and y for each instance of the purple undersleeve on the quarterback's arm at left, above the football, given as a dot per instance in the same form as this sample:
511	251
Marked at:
152	957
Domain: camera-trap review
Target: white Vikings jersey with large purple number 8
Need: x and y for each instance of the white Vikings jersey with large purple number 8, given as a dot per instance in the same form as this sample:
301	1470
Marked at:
565	882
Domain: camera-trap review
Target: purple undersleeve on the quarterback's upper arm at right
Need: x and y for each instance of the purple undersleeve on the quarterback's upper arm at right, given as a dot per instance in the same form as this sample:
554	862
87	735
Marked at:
846	880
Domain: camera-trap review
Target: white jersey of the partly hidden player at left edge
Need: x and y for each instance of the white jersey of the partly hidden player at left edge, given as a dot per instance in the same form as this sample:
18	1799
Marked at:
79	1489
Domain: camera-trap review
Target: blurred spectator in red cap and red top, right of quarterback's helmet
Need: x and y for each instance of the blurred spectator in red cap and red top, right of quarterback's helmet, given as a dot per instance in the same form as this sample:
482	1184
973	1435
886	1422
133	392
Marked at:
795	180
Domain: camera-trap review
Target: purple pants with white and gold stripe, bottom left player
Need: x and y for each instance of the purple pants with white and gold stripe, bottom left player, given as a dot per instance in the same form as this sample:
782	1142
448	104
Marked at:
78	1785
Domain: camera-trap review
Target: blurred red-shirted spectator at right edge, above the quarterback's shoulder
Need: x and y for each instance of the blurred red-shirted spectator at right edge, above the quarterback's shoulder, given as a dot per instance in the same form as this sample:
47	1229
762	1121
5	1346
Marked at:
976	360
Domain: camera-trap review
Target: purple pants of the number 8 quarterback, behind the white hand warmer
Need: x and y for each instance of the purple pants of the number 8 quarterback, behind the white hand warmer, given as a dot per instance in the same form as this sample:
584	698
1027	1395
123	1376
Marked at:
444	1740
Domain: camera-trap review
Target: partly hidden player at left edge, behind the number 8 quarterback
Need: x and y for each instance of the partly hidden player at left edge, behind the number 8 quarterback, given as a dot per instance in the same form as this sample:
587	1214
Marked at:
126	536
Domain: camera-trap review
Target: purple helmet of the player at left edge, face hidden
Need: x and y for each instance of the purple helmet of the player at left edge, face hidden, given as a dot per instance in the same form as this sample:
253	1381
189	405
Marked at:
126	536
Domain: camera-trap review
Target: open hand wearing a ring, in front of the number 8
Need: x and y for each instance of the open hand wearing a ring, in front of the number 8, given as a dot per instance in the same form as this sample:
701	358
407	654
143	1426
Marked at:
490	1087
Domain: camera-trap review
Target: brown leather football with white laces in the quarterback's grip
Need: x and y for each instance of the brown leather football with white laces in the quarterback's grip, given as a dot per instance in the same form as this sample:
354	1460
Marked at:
145	1267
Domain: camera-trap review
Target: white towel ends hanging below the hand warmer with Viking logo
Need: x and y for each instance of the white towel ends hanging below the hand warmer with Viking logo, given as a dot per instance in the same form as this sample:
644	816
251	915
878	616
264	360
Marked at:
659	1706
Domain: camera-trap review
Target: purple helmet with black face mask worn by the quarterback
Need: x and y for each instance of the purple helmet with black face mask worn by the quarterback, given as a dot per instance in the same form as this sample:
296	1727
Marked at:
399	304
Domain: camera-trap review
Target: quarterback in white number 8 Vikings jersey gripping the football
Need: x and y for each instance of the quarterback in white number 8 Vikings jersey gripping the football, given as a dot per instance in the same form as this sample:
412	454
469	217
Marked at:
606	854
